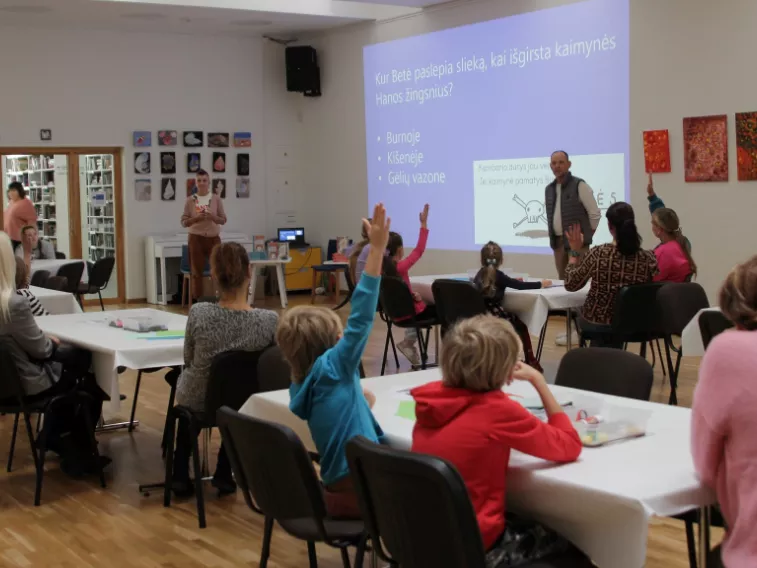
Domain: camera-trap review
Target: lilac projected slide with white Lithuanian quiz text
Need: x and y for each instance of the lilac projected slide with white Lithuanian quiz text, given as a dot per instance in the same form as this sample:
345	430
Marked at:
466	119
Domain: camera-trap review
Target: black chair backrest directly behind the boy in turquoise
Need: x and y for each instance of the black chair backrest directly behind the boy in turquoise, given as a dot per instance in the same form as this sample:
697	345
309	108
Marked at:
272	466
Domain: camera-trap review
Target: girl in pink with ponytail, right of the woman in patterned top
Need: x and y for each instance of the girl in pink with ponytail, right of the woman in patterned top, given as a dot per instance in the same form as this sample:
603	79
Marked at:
674	261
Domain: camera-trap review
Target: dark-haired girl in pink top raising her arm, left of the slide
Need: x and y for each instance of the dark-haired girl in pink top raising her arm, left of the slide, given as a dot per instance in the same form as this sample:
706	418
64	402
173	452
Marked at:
396	265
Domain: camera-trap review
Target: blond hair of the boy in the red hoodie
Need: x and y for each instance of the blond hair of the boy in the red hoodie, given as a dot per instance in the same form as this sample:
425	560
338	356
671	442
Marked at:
479	354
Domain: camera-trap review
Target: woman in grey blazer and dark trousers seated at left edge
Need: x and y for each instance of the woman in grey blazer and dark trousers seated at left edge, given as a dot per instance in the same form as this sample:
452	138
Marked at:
47	368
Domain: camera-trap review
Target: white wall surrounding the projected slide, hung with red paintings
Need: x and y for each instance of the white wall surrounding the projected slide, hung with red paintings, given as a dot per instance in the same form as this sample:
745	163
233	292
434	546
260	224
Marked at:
688	58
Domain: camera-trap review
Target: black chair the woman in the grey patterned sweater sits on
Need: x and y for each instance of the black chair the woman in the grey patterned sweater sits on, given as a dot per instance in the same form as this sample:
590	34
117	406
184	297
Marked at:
233	379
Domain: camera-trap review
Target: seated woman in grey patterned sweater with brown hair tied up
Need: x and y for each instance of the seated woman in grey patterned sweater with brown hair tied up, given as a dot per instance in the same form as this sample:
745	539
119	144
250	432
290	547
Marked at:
212	328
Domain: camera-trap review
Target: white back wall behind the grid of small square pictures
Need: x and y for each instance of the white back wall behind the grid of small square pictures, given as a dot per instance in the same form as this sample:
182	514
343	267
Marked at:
95	88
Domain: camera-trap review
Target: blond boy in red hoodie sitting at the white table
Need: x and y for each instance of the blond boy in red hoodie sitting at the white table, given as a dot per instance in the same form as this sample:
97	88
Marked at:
467	420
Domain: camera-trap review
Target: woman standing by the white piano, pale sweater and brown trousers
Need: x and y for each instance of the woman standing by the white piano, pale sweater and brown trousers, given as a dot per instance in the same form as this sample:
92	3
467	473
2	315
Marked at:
203	216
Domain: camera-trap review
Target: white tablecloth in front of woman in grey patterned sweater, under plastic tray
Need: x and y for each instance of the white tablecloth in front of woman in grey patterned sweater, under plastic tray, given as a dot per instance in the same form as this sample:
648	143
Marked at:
112	347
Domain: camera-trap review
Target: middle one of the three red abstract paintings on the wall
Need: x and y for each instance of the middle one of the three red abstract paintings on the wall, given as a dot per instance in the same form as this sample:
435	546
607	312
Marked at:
705	146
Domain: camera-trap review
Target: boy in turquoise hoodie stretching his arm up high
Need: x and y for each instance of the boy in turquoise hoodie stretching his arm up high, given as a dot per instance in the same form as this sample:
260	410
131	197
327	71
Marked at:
325	388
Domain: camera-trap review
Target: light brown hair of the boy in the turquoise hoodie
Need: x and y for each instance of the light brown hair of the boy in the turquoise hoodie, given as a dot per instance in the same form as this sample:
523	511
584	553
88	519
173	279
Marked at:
304	334
